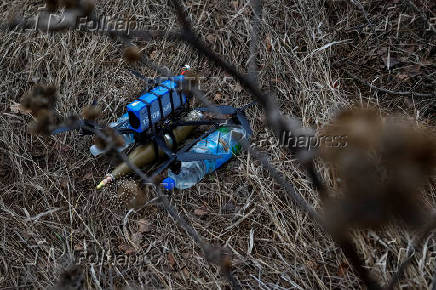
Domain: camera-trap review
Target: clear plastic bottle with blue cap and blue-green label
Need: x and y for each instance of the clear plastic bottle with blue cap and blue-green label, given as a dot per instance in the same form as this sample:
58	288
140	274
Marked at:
223	142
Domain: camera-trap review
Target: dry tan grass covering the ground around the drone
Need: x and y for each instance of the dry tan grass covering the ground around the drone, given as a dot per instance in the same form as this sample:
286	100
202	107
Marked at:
273	244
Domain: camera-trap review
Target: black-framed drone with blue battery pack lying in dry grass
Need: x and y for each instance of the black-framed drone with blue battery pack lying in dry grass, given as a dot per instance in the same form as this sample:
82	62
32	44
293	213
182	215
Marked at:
157	111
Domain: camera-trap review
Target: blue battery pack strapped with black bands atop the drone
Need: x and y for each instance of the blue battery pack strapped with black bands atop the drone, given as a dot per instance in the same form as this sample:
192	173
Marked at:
155	105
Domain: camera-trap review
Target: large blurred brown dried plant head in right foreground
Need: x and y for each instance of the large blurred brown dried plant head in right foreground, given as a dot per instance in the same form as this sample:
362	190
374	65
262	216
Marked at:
381	171
